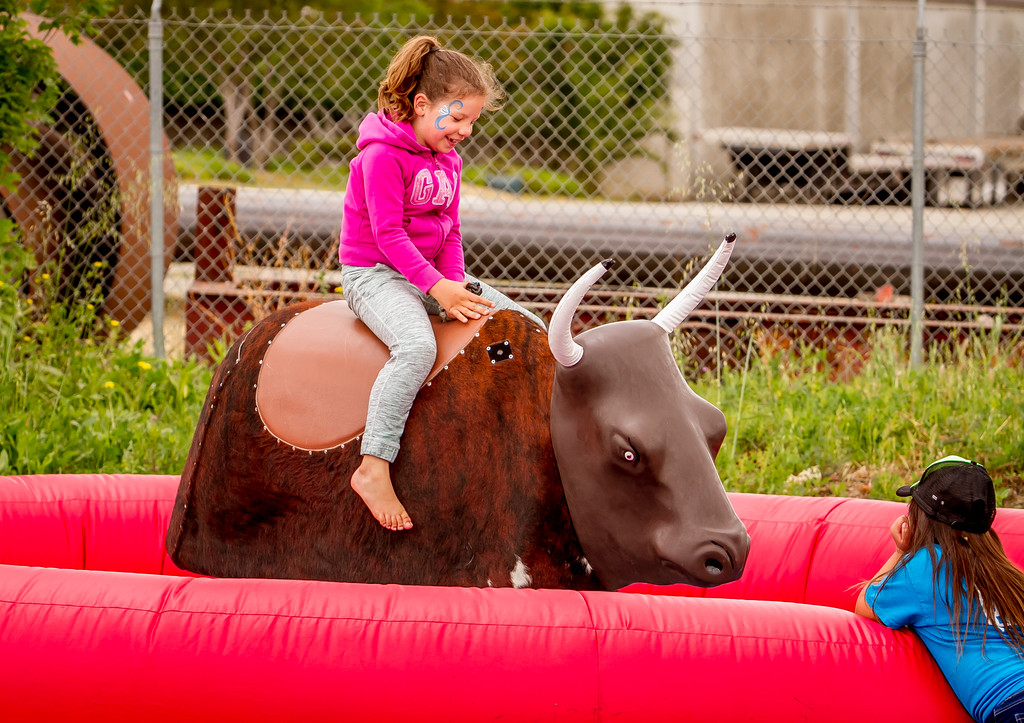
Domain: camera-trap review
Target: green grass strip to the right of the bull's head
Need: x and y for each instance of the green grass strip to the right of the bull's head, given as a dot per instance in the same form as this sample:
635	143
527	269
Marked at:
795	431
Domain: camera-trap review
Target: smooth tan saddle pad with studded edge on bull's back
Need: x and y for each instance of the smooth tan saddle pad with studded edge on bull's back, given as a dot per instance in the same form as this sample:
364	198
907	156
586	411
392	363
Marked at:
315	381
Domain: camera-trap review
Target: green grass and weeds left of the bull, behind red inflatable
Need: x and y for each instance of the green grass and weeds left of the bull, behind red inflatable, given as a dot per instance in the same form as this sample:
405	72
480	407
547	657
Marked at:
78	398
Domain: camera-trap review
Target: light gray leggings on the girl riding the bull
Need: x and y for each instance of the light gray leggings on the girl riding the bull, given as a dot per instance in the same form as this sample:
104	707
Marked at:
398	313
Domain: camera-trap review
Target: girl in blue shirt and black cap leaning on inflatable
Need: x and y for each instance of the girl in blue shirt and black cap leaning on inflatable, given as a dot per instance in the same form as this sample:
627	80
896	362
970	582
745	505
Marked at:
951	582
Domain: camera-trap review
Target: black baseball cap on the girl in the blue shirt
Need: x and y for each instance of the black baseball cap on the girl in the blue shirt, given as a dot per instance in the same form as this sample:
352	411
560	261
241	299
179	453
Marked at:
957	492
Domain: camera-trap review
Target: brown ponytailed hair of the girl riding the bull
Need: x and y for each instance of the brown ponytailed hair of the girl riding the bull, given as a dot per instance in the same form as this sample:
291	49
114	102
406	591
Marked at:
422	66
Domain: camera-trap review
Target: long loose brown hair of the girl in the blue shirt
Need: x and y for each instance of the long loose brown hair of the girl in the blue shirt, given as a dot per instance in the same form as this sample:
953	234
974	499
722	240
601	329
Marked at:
982	581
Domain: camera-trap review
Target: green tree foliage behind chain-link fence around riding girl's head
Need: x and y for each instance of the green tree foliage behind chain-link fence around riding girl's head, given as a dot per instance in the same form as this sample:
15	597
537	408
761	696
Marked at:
585	86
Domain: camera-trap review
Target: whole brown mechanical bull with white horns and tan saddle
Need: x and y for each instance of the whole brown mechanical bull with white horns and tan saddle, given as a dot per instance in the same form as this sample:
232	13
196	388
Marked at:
528	460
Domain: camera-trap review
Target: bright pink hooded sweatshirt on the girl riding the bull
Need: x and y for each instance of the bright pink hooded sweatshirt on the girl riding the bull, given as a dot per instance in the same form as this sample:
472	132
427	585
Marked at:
402	206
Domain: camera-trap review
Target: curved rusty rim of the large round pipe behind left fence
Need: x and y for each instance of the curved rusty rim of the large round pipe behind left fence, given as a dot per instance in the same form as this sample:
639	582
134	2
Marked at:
120	112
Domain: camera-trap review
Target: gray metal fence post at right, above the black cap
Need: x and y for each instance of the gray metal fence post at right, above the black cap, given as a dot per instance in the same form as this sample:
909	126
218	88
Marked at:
918	195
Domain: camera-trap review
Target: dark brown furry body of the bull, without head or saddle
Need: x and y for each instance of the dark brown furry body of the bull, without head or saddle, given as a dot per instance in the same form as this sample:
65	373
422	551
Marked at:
477	469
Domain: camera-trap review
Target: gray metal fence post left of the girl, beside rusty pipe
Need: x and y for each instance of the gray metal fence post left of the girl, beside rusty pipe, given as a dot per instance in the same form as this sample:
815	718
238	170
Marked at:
157	178
